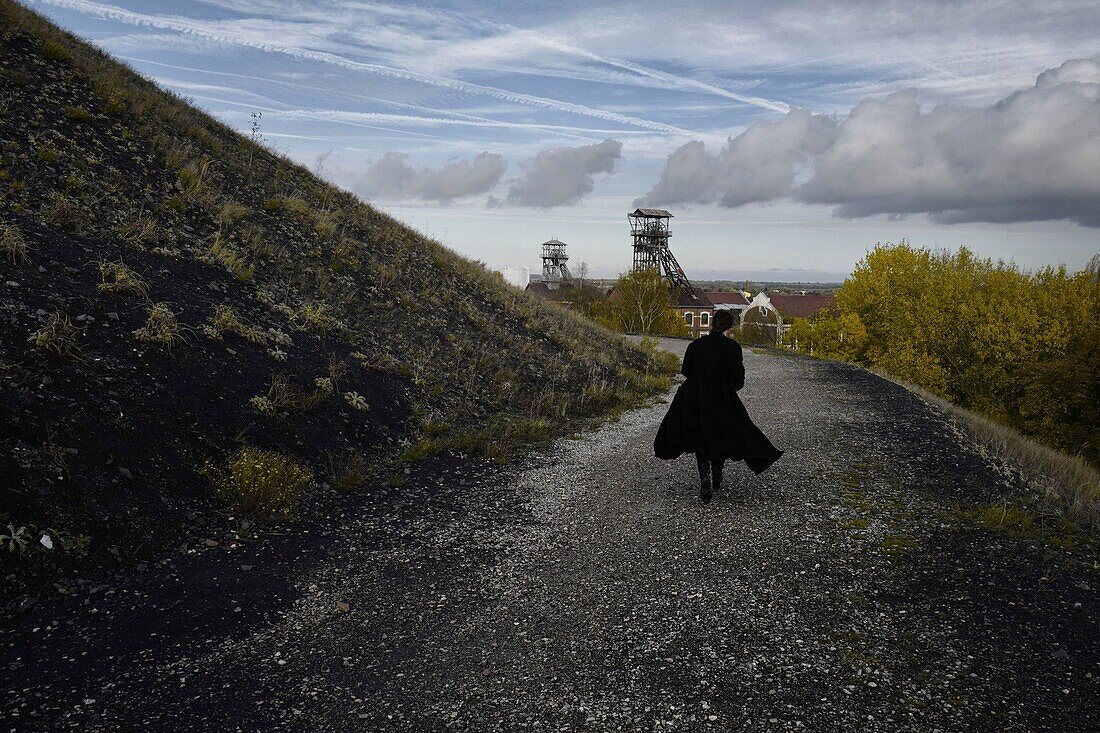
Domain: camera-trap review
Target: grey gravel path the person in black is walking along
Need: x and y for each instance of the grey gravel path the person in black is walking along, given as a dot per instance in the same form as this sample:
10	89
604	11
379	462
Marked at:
842	590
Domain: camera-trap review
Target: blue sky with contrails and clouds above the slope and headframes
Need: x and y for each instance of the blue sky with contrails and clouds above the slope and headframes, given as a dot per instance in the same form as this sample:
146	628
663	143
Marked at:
787	138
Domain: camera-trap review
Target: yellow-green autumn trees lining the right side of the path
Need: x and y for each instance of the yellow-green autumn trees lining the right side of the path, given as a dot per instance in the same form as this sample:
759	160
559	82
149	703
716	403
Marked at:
1020	347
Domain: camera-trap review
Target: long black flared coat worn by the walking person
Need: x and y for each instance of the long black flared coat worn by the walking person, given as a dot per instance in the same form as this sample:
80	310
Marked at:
707	415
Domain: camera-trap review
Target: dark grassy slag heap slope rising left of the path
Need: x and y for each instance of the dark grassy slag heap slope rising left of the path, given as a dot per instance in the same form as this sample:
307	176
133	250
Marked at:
105	443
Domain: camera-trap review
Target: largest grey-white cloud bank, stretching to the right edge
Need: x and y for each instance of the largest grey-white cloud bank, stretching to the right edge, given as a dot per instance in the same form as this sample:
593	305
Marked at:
1031	157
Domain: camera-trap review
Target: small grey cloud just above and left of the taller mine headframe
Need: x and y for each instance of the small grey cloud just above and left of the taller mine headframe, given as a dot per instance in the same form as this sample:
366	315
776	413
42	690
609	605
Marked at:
564	176
